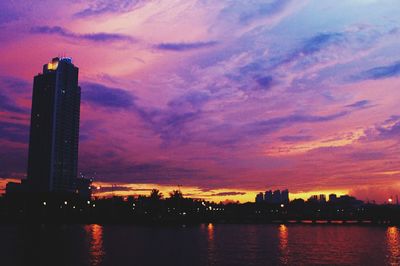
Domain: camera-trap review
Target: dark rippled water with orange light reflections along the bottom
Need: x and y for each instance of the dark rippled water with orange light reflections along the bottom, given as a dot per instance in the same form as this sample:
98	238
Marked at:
200	245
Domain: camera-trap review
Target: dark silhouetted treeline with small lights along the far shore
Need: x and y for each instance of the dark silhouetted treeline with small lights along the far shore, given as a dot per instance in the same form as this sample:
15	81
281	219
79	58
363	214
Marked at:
175	208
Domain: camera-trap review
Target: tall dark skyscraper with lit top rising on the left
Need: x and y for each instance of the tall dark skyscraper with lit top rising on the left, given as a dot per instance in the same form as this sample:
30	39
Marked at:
54	132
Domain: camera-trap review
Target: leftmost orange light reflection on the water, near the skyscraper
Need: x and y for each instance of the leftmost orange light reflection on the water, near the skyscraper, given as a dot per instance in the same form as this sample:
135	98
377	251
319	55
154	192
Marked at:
95	237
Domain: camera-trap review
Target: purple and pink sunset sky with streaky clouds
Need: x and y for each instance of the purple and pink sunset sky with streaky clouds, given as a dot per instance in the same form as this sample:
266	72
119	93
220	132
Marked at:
220	98
